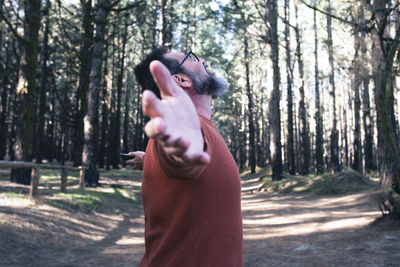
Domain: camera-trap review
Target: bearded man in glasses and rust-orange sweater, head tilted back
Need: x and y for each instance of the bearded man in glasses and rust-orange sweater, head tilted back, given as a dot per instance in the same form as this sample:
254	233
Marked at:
191	186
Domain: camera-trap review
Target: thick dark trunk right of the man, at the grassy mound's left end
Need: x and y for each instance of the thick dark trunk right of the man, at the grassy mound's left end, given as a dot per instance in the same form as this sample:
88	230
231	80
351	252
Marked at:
274	109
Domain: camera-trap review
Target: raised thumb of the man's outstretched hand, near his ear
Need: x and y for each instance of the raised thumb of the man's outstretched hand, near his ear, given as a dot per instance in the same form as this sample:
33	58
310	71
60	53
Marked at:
163	79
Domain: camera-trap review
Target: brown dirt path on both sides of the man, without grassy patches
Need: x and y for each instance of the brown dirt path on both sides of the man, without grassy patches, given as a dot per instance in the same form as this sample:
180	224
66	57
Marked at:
279	230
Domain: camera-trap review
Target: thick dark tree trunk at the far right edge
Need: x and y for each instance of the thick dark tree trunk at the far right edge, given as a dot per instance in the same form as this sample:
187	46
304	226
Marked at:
382	63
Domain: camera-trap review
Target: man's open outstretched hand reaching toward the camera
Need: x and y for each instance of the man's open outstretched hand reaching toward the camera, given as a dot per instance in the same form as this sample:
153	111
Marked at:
173	119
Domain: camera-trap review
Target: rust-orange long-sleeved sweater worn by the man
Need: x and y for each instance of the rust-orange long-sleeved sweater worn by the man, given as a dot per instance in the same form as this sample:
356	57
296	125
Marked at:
192	215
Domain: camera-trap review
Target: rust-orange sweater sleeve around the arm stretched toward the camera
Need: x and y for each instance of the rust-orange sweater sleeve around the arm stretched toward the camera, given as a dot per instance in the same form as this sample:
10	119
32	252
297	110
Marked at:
178	170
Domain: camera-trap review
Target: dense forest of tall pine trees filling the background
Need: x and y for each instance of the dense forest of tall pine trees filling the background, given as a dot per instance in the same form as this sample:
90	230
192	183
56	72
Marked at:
314	85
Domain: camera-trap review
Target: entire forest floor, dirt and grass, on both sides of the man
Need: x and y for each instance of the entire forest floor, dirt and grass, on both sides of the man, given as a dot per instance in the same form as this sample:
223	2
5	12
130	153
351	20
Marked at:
296	222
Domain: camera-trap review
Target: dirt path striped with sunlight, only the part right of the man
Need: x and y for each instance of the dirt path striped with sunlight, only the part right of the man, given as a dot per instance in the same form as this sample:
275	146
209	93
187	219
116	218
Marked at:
310	230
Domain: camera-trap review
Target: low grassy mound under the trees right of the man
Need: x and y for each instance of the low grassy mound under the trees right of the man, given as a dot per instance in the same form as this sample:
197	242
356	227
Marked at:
347	181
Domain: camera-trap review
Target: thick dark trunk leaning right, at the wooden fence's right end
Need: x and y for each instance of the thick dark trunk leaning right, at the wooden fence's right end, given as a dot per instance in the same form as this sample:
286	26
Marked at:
92	119
